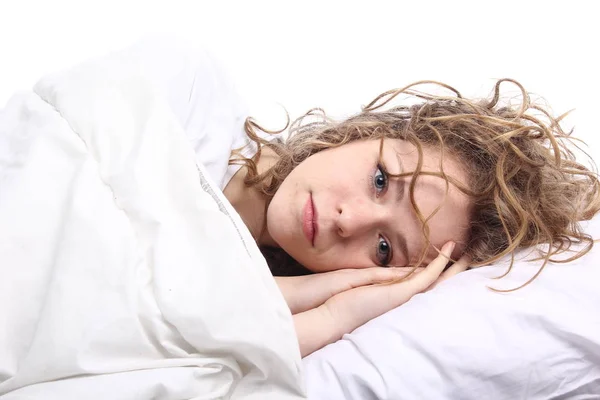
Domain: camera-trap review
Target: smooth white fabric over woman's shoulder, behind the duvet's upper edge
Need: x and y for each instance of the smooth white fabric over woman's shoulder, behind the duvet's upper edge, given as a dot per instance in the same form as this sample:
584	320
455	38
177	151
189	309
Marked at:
201	95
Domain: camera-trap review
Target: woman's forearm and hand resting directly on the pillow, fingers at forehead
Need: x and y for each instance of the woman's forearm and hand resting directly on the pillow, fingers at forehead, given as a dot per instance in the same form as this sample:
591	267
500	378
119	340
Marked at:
352	308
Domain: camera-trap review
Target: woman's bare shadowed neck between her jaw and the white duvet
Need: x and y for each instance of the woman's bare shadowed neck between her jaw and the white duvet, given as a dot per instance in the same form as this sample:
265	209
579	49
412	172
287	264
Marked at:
250	203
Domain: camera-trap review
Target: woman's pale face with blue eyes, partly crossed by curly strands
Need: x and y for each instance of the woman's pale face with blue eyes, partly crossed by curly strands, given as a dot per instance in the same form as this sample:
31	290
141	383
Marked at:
338	209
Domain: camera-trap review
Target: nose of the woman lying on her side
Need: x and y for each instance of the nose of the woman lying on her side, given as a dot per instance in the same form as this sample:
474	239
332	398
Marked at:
357	218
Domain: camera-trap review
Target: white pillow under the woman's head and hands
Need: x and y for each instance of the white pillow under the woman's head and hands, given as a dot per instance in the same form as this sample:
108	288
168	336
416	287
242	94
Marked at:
464	341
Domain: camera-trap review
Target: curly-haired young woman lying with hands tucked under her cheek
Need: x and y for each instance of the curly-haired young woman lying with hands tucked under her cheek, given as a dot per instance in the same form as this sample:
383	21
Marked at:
431	186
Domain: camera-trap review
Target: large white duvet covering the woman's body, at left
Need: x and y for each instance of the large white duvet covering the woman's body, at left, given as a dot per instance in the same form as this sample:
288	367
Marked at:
124	272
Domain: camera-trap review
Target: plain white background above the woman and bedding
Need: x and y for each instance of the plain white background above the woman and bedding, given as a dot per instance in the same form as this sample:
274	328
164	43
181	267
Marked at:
336	55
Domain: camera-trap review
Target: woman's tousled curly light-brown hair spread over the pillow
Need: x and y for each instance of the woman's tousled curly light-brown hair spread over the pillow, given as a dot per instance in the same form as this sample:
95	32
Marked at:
525	184
